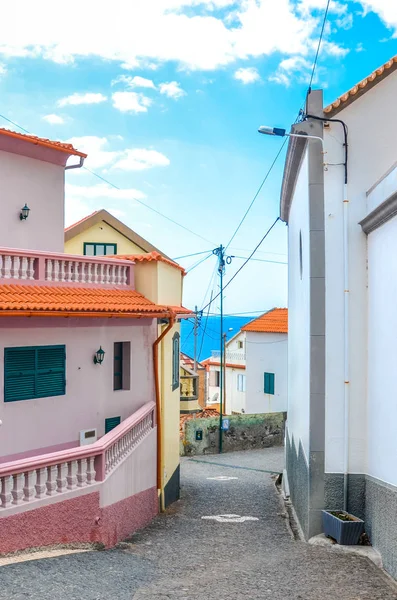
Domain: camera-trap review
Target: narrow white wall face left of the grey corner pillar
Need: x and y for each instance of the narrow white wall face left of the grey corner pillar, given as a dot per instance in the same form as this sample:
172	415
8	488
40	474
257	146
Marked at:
299	314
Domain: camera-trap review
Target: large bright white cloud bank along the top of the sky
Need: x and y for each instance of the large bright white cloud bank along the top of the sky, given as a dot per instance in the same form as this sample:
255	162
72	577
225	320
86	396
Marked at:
158	31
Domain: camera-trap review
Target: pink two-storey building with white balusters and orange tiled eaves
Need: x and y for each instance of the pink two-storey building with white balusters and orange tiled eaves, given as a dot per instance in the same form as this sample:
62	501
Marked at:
78	435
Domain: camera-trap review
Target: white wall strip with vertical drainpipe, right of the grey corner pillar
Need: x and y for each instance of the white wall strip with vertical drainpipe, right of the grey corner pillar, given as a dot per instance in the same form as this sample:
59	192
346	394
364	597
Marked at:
372	151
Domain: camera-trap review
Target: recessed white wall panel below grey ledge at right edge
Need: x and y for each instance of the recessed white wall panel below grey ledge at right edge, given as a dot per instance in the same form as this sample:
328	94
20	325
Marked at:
382	353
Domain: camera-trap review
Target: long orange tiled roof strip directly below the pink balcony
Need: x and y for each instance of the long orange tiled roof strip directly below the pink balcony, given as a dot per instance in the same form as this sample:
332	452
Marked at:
76	301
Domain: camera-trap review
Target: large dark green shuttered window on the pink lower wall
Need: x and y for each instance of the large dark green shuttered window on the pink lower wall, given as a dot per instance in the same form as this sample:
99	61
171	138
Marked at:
34	372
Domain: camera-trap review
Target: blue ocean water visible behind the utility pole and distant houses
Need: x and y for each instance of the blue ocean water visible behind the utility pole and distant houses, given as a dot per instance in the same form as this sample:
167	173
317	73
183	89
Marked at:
208	338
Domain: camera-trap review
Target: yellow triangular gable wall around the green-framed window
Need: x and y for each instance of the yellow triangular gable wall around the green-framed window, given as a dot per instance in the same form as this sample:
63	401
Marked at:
101	233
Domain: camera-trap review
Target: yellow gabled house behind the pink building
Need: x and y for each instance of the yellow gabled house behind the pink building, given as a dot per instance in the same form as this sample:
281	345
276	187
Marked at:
160	280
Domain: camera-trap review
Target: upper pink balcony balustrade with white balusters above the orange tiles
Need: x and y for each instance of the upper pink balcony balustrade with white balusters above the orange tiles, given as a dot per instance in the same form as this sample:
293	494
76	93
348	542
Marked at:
50	268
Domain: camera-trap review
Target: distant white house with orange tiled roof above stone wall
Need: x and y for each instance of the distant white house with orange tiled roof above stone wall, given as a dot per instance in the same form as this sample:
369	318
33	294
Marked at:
256	367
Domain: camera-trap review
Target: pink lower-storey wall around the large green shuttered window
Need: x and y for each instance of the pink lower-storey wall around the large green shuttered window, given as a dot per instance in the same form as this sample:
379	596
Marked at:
39	423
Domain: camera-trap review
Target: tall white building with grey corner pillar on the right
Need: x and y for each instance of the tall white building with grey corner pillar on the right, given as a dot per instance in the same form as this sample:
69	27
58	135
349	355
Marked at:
342	412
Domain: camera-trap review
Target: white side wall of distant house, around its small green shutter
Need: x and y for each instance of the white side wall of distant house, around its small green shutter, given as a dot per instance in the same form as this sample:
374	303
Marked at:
266	353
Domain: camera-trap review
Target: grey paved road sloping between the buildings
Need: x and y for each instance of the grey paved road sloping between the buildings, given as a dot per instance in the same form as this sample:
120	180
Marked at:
183	556
